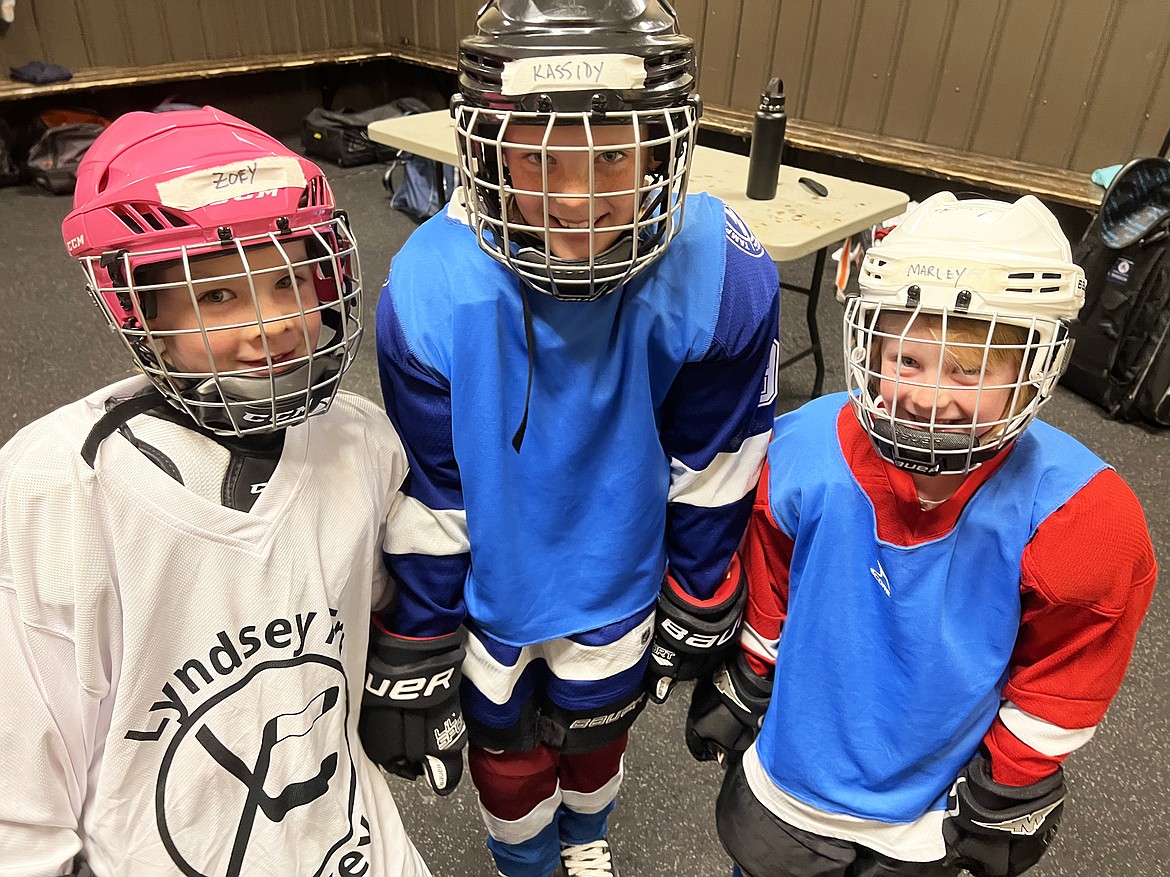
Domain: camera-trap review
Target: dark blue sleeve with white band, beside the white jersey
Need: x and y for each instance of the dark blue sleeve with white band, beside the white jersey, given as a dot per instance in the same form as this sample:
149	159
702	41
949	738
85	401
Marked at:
430	581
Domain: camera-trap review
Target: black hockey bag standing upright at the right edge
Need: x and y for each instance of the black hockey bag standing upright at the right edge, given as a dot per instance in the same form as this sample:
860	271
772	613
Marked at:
1121	360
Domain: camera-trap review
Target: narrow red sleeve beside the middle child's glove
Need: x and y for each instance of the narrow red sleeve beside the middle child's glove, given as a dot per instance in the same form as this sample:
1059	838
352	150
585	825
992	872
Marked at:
767	556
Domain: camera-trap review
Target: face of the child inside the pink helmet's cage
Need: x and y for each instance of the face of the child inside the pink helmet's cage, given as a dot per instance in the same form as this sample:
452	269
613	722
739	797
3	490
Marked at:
249	335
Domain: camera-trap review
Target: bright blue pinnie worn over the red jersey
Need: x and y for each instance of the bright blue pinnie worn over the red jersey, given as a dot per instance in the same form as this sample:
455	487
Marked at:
892	659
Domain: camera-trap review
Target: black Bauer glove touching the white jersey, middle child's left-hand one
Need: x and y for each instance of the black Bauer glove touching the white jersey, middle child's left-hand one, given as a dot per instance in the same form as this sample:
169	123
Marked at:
411	720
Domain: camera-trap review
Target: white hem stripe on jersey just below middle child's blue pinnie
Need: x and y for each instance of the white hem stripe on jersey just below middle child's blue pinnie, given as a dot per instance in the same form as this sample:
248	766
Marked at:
567	660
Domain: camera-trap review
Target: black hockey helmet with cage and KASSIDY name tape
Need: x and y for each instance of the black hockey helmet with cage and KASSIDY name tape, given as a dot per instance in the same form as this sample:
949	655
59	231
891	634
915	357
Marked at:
624	75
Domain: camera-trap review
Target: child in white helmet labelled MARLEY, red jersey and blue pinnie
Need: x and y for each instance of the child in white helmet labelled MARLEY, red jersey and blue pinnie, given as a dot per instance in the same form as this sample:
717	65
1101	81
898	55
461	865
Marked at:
944	591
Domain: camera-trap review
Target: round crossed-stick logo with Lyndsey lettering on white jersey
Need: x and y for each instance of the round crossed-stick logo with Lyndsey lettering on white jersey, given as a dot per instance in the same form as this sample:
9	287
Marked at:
252	765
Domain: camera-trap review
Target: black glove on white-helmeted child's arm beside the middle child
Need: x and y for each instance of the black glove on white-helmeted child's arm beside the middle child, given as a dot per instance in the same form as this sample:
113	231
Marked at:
727	710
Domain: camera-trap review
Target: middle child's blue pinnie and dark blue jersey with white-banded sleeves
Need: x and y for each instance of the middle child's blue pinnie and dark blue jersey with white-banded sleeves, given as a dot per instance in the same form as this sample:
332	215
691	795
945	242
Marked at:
649	419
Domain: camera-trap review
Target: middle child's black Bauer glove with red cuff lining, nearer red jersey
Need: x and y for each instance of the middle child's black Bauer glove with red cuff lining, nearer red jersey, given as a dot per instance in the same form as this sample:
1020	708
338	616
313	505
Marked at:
691	637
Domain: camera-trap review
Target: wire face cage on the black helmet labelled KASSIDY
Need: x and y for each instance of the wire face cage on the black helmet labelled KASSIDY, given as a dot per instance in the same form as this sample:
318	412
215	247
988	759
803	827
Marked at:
574	206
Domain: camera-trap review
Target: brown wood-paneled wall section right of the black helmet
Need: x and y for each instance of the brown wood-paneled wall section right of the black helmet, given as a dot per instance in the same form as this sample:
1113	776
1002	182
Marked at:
1064	84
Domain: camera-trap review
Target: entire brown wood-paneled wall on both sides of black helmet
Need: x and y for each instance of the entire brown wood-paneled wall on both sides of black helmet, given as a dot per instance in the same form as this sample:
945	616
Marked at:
1063	84
